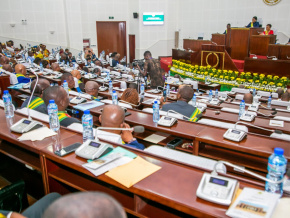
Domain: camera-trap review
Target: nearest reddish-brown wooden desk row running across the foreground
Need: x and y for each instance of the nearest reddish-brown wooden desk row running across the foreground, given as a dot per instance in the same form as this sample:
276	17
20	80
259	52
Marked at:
159	195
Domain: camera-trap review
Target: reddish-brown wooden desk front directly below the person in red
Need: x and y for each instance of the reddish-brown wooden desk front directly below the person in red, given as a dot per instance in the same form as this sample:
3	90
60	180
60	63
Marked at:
259	44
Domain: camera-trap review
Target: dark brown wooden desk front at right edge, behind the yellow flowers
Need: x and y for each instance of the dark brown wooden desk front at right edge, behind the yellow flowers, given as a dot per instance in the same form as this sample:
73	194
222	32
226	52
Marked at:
279	67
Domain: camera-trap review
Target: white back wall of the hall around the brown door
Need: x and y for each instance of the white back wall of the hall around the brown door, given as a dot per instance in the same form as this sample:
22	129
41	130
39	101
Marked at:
74	20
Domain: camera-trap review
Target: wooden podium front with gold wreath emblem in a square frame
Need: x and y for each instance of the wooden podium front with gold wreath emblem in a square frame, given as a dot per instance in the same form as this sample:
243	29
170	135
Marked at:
217	57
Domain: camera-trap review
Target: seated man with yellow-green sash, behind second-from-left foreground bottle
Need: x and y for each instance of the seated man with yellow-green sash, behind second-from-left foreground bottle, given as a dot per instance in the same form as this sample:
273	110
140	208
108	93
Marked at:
59	95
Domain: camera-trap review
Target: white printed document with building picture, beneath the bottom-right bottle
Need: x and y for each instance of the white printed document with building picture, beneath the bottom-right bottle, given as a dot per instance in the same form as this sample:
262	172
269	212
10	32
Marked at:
253	203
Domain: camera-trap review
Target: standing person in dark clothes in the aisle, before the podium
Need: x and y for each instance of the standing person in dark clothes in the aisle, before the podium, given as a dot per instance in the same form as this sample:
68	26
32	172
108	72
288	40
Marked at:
153	69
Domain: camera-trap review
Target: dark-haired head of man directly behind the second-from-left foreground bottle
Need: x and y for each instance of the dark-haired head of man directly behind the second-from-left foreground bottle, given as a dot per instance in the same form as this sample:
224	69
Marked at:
58	94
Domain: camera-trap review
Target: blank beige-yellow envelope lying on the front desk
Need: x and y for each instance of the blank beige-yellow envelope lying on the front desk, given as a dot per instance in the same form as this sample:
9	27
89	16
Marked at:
133	172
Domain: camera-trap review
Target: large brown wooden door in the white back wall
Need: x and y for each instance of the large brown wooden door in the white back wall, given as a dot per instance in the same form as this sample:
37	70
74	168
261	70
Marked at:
111	37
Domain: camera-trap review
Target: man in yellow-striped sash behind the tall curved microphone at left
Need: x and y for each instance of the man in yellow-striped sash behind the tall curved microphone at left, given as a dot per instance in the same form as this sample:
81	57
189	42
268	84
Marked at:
36	100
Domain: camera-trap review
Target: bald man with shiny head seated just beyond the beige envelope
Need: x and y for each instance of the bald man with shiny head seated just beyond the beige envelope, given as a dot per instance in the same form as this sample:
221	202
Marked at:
114	116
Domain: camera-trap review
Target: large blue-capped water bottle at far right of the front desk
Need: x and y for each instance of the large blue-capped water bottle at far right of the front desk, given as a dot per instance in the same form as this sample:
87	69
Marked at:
276	169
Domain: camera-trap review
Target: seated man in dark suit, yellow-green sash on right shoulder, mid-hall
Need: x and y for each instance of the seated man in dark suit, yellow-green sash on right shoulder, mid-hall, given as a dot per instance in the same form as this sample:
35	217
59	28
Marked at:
184	95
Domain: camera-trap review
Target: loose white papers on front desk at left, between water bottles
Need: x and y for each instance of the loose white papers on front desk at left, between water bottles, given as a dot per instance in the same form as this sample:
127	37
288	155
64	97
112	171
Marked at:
37	135
